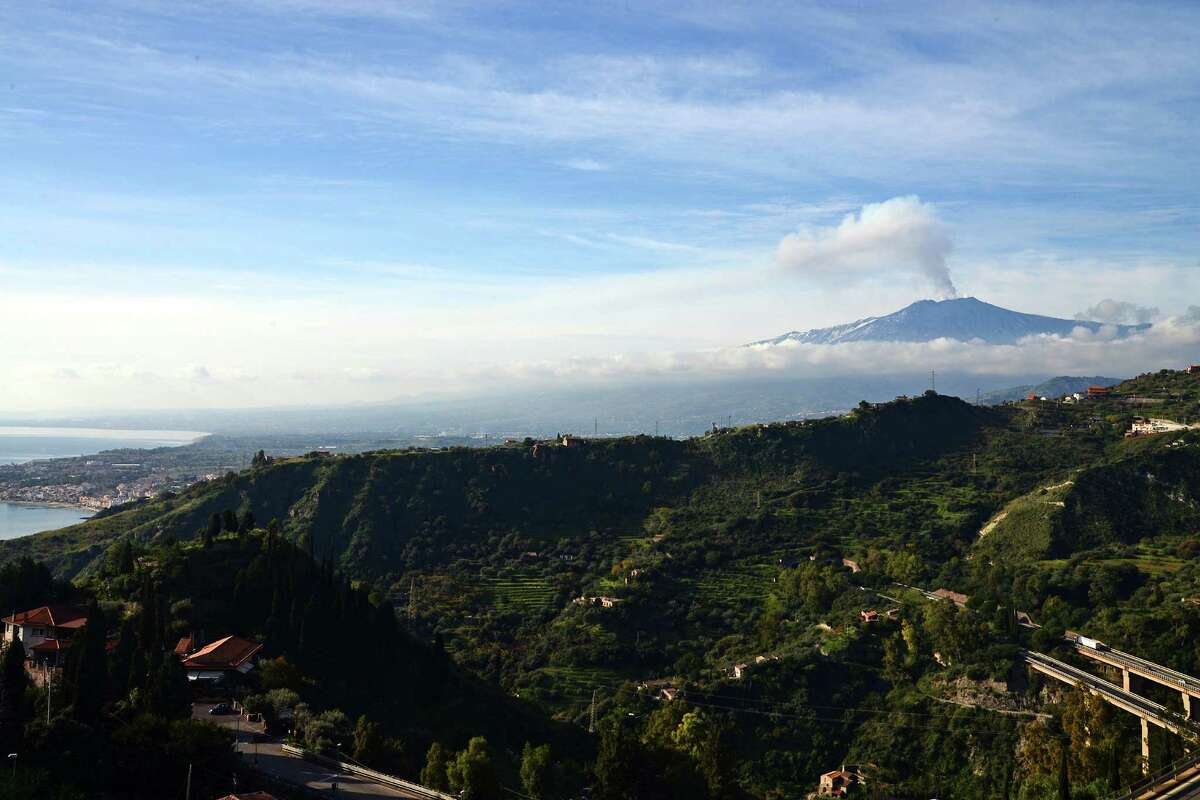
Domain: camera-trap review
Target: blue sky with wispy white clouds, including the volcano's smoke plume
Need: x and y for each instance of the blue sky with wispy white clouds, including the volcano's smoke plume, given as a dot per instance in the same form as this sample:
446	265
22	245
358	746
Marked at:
310	202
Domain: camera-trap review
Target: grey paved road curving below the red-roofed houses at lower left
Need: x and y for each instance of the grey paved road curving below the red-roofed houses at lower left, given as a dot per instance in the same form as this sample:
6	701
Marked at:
267	756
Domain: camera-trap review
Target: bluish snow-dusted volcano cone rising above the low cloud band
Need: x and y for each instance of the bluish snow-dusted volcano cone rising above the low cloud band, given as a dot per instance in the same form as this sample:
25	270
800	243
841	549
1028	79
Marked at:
964	318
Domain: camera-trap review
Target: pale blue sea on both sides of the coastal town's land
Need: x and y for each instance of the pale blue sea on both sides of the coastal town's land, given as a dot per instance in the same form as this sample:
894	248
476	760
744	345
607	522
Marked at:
23	444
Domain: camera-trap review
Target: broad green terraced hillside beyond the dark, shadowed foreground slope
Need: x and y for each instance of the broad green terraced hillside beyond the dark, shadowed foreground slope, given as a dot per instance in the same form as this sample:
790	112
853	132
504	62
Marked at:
568	573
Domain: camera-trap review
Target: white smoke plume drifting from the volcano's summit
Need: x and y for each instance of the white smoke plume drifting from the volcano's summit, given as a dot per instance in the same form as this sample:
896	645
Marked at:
898	236
